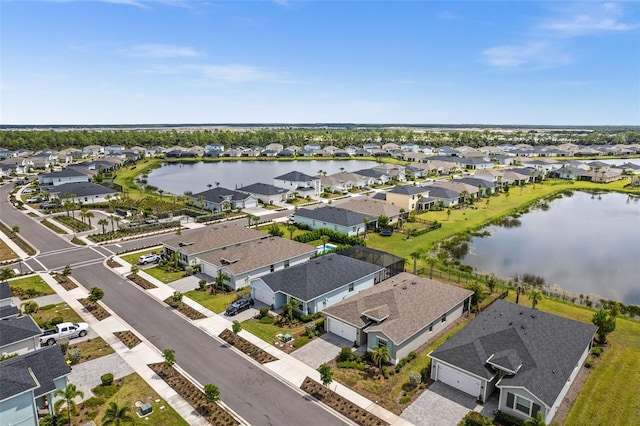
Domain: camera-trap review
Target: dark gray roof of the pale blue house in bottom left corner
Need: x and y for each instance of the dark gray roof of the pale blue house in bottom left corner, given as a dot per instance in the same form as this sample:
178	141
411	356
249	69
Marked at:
47	364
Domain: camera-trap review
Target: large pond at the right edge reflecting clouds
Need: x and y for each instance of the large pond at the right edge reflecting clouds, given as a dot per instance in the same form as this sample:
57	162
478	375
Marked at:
584	244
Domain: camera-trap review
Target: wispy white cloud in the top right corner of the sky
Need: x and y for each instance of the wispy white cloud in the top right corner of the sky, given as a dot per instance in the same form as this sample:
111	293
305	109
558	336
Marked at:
606	17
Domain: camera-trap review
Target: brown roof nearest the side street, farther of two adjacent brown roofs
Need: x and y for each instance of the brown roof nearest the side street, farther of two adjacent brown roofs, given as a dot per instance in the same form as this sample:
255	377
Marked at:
213	237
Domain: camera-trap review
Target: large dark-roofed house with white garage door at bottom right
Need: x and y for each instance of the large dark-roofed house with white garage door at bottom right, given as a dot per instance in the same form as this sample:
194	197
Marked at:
529	357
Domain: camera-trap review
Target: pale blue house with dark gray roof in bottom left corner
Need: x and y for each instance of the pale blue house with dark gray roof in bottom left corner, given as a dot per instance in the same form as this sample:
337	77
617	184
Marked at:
28	384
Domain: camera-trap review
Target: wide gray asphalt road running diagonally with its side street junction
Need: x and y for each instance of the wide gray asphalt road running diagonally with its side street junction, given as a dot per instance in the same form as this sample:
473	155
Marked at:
246	388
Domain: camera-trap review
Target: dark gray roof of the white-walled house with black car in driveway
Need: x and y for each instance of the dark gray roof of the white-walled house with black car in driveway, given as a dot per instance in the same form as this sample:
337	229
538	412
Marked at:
319	276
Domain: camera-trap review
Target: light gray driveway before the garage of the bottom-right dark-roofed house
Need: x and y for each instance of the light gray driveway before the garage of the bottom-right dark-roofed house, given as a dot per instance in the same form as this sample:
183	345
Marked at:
442	405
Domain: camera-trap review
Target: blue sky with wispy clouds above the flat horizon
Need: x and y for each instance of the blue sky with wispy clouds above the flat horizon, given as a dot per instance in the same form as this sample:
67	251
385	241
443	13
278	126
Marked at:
192	61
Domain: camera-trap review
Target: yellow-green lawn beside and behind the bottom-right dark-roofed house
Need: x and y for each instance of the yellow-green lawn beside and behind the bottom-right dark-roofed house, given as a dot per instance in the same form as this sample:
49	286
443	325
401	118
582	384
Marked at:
610	394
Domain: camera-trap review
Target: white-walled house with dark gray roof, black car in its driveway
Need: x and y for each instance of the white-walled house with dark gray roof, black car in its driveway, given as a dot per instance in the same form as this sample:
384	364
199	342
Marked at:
317	284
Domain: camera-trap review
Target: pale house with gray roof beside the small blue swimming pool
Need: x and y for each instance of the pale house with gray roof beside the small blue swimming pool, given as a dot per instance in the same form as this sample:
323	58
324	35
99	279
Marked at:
334	218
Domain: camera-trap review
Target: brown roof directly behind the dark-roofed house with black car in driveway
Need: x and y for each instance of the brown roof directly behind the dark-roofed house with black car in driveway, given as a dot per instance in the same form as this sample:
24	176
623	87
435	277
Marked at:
256	254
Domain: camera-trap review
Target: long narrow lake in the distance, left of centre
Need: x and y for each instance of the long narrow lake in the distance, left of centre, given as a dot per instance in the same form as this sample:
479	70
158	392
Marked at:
177	178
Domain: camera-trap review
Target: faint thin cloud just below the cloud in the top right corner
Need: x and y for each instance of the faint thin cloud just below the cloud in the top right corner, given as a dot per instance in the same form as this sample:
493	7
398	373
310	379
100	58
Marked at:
530	55
